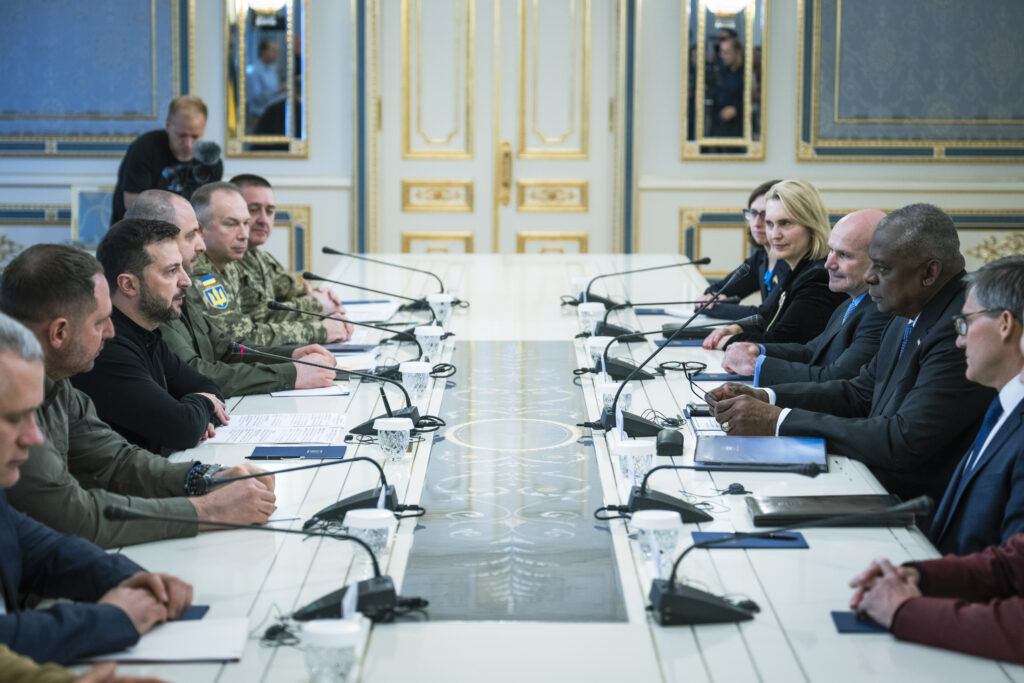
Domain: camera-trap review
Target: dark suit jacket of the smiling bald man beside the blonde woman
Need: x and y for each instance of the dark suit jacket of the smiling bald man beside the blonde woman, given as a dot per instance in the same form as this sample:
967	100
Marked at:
837	354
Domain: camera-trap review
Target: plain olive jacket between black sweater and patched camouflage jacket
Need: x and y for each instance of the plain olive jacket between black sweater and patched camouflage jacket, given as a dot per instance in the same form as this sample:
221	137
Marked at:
205	348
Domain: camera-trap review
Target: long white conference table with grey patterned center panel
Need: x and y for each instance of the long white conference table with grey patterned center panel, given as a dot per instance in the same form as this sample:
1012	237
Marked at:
525	584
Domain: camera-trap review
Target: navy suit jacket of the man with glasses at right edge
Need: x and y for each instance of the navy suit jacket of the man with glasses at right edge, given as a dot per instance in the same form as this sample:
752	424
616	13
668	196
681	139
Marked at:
990	509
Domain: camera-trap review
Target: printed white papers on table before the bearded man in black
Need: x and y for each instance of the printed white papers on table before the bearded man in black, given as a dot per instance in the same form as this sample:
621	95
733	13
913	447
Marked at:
281	429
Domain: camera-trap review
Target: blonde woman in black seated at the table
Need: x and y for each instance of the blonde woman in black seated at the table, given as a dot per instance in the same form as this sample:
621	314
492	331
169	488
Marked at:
798	232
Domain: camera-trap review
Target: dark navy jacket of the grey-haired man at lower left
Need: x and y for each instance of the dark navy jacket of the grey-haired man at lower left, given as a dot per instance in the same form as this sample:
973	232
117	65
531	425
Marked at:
36	560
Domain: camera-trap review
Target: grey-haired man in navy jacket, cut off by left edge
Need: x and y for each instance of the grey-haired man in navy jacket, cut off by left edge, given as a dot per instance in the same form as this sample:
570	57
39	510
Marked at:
116	600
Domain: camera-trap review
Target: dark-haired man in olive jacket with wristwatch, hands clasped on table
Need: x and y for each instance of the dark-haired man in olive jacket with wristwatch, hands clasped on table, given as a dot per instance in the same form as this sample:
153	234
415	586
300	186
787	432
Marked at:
60	294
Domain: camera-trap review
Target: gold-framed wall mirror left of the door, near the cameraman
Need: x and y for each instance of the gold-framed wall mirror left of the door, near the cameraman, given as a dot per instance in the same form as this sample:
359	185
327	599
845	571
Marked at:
266	41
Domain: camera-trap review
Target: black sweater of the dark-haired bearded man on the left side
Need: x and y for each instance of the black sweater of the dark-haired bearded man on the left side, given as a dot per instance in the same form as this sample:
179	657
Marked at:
147	393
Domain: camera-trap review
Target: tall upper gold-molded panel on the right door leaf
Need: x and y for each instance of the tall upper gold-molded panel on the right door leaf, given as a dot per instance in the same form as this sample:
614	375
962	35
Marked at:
539	140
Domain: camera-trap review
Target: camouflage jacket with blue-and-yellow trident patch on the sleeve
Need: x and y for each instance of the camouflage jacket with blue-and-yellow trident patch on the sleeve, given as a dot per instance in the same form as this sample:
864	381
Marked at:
236	303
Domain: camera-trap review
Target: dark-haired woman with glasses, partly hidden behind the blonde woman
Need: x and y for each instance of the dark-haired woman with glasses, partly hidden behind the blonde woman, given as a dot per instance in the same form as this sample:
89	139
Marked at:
766	271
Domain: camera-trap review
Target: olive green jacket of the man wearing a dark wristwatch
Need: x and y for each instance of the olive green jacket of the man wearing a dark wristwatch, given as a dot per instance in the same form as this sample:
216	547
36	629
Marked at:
84	466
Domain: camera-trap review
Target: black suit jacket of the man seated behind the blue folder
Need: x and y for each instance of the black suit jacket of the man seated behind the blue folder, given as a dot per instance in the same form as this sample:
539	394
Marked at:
910	418
